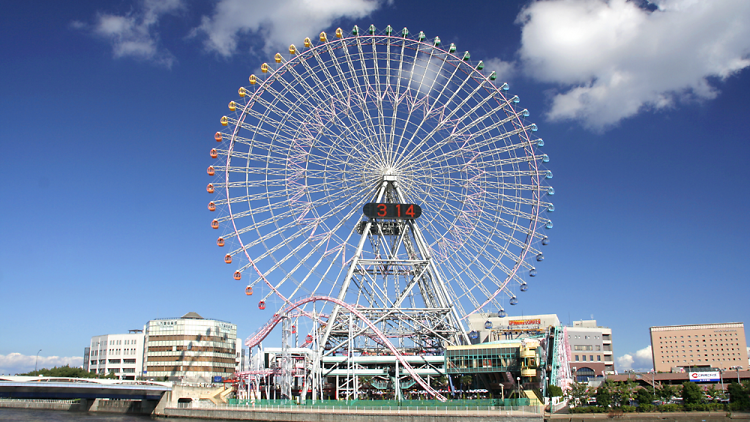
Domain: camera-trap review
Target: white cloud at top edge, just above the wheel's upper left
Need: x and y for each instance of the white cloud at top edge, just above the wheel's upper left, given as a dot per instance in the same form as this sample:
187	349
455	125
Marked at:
278	22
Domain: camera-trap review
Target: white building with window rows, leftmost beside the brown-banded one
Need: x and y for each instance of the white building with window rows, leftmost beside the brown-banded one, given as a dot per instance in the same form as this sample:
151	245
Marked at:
119	354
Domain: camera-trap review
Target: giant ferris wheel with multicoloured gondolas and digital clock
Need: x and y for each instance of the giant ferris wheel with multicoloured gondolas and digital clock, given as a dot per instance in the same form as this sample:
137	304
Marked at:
327	147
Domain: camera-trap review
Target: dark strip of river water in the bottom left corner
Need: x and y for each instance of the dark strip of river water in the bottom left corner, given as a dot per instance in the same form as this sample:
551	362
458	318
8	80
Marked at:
32	415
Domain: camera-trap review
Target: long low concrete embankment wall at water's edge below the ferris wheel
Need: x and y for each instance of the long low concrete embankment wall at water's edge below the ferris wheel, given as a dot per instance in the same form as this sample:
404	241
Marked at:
351	415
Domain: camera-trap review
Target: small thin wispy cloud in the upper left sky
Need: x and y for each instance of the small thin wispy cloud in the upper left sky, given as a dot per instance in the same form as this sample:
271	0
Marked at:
134	34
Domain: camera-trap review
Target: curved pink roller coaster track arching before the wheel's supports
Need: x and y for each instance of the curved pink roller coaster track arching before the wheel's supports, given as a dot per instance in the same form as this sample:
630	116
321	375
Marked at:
264	331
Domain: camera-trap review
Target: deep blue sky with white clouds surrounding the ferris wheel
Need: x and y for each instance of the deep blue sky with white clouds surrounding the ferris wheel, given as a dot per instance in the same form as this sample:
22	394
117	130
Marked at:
109	109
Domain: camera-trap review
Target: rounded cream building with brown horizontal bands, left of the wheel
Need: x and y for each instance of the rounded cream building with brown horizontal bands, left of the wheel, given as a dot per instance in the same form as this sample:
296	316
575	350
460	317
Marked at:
190	348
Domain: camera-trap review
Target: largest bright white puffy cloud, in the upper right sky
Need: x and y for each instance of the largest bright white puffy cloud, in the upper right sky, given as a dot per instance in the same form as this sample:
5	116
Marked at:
613	59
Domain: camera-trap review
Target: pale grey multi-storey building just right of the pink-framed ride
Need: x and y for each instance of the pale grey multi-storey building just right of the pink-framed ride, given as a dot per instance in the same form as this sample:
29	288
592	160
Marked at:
591	352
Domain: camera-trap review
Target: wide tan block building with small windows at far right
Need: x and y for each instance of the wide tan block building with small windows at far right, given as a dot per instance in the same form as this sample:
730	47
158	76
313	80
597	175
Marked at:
698	347
